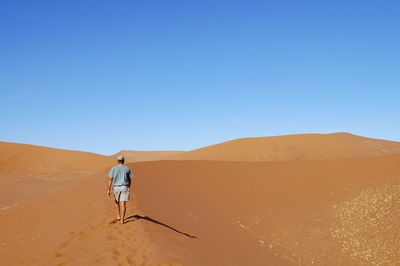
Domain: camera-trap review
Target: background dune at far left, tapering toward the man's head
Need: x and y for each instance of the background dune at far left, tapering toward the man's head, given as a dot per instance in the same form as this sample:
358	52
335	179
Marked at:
28	171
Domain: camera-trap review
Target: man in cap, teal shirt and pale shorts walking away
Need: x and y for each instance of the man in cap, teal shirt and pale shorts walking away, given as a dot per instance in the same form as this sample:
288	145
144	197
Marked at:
121	175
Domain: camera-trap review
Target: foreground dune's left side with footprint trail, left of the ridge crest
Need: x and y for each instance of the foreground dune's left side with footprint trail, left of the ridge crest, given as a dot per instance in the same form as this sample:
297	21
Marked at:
75	226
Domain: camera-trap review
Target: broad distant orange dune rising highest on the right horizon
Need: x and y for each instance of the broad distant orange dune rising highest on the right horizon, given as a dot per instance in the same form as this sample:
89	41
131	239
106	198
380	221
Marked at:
293	147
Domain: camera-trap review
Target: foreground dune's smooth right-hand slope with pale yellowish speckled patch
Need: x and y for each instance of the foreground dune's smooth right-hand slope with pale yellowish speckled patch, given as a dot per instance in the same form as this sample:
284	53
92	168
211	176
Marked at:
330	212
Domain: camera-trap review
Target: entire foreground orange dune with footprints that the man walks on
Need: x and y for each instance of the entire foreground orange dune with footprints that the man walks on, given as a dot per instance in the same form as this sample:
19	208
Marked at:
333	212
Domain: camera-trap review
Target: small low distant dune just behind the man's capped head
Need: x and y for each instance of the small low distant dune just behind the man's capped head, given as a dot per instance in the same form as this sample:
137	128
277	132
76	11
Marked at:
139	156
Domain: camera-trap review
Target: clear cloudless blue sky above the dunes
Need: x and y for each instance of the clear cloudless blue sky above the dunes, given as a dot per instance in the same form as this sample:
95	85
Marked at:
102	76
